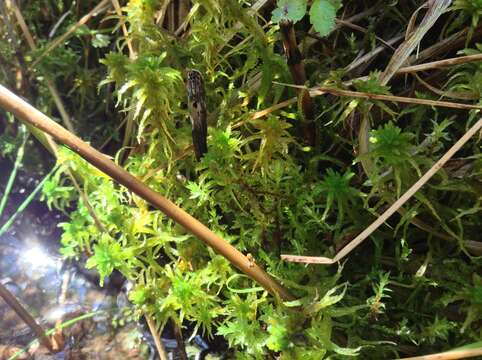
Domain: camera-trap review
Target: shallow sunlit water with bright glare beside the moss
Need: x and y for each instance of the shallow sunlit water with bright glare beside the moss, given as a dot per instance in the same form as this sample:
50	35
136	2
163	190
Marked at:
56	293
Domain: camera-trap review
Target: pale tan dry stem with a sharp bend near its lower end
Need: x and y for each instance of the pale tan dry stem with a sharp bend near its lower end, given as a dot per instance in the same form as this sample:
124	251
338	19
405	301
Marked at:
395	206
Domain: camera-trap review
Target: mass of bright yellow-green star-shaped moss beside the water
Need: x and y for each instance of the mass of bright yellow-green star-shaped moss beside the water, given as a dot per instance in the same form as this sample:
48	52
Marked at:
264	191
